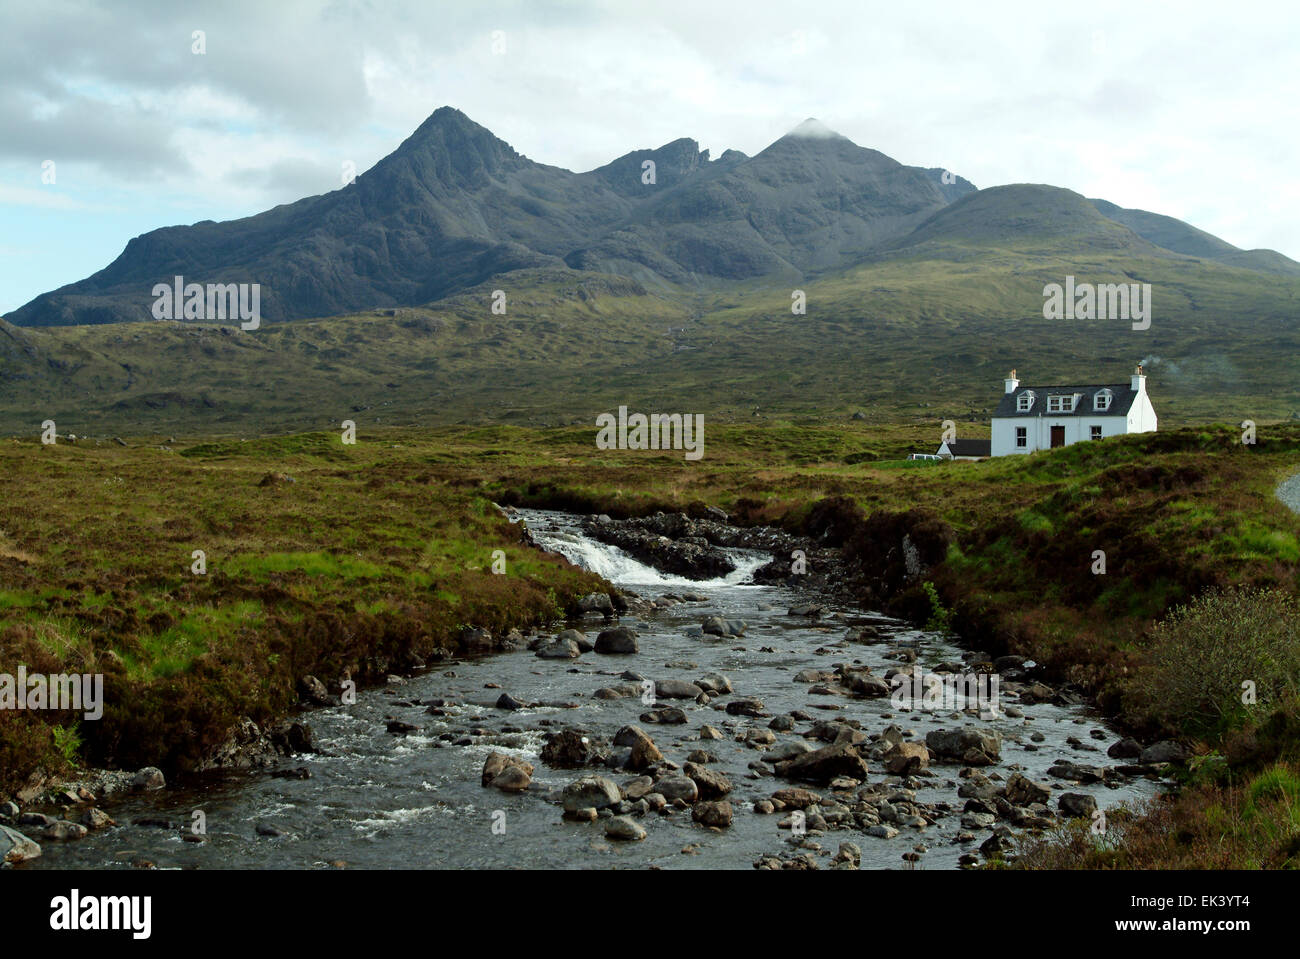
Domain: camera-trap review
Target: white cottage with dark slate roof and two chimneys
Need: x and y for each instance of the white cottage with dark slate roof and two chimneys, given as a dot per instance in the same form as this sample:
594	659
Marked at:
1043	418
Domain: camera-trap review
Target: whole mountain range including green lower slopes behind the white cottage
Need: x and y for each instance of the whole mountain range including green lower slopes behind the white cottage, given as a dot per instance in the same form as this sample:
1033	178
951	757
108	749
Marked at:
921	293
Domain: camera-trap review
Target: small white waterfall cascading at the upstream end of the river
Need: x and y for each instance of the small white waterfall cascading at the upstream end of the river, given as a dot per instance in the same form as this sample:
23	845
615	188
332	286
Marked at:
561	533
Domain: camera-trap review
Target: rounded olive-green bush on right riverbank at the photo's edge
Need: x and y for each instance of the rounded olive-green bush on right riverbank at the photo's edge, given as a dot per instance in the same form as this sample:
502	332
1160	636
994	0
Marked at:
1203	653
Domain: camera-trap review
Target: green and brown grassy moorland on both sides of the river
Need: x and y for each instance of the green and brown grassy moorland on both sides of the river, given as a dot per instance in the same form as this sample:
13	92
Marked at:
324	558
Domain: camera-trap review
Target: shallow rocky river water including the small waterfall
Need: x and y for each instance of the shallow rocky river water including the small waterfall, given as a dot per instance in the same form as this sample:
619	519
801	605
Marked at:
382	801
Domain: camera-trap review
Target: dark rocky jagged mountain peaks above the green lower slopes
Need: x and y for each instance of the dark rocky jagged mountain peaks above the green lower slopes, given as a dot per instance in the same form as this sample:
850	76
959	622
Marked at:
454	206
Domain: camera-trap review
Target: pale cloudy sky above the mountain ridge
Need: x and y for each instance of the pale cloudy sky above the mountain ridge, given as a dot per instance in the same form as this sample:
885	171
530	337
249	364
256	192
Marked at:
120	119
